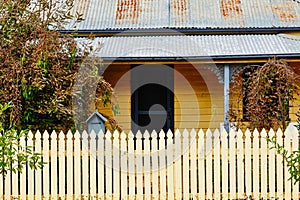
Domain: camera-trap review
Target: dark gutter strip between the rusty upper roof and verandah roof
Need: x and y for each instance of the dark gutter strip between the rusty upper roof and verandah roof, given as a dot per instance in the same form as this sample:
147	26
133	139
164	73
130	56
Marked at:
179	31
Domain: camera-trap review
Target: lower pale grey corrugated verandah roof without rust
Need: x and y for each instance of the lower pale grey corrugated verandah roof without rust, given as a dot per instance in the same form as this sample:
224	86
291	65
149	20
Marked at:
196	46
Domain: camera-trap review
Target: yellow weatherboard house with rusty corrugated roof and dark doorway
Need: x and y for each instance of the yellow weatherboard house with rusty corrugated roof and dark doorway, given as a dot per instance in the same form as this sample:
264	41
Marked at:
171	61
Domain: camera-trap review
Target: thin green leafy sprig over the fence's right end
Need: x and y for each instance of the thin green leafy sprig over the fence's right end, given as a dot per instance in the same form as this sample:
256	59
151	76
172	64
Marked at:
292	159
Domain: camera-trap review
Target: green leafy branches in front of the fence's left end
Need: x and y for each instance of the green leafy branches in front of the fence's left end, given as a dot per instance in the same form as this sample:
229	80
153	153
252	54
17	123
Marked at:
13	156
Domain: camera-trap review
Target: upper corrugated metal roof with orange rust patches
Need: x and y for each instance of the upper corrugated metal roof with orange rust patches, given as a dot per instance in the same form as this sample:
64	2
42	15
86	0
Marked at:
137	14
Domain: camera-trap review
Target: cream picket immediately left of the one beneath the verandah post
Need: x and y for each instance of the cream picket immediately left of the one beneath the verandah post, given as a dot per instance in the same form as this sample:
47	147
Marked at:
216	171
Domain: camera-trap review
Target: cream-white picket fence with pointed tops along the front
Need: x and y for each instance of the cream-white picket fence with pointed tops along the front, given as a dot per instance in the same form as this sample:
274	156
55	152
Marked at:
191	165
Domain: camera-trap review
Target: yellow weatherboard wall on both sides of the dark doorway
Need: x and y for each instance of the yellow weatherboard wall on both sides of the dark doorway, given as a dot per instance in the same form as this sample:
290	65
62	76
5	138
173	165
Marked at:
198	101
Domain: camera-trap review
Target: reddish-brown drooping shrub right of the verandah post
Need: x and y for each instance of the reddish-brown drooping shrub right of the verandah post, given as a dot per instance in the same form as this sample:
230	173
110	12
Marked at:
265	92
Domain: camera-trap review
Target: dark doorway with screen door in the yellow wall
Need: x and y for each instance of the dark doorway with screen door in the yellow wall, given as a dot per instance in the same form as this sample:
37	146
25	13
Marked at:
152	99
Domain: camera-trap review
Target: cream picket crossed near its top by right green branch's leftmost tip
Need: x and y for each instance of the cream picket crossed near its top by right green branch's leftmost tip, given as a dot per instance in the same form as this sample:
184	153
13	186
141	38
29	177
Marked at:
272	174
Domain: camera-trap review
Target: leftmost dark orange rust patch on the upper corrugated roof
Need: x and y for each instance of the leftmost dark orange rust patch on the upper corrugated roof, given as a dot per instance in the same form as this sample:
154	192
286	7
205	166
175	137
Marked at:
127	10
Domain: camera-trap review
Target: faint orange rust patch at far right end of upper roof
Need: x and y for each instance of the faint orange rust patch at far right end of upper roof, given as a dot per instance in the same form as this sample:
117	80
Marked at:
284	12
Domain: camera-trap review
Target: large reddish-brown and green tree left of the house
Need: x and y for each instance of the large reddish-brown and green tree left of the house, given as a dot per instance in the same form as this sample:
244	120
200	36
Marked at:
38	65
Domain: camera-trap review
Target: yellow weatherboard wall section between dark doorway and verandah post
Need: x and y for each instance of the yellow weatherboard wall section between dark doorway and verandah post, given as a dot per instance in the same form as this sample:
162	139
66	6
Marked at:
198	97
